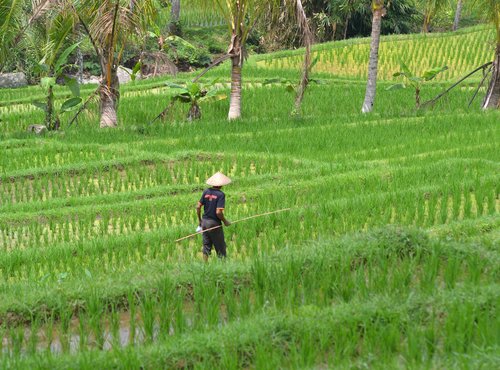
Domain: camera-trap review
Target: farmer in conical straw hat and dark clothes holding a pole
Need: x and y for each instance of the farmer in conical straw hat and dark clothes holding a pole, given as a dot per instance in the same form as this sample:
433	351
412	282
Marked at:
214	201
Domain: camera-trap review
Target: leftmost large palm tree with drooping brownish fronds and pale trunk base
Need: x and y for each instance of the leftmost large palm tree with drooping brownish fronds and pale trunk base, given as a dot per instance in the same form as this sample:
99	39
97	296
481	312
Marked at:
110	24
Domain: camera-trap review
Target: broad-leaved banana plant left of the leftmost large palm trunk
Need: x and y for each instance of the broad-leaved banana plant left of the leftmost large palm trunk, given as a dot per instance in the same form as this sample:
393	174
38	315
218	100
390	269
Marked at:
51	72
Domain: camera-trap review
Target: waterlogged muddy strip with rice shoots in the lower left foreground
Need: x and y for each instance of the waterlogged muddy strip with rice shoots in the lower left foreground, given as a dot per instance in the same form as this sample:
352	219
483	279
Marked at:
116	330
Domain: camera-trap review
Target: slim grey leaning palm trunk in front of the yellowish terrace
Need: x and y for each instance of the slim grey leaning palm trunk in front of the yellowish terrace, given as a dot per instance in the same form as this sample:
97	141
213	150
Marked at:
371	86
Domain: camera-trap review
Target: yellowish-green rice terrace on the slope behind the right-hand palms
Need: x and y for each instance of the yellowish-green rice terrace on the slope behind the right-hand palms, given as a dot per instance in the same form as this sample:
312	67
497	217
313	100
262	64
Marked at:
461	52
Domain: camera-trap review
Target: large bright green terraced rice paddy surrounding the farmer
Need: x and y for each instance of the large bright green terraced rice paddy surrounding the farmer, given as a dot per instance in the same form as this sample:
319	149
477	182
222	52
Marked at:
387	258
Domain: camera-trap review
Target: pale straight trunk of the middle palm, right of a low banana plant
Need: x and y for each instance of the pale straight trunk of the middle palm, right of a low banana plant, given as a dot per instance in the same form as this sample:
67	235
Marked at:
236	52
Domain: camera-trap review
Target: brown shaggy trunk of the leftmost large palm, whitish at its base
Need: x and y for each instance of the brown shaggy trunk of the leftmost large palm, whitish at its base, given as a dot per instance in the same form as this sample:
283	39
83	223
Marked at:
109	93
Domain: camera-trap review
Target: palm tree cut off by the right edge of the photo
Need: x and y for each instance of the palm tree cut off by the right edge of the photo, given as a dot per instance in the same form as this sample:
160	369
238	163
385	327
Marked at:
491	9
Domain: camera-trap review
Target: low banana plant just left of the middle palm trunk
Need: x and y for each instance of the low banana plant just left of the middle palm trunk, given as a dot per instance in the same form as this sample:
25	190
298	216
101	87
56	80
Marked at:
194	94
